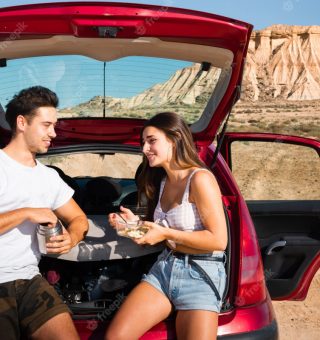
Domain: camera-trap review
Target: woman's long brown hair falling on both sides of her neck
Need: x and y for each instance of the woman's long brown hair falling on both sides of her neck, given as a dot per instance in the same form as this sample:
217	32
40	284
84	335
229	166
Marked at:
184	154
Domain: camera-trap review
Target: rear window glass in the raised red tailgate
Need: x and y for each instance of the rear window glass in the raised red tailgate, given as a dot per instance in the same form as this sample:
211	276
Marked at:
130	87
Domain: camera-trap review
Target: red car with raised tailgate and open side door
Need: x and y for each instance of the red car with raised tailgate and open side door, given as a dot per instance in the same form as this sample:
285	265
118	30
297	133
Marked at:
113	65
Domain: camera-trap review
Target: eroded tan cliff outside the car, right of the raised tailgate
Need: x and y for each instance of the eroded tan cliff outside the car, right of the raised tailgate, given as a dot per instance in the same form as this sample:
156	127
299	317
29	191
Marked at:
283	62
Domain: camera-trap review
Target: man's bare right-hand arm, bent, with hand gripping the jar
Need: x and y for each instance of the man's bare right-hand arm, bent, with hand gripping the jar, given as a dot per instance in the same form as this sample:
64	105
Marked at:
77	226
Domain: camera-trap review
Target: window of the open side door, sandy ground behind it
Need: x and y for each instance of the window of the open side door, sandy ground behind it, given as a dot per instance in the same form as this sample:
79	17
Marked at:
275	171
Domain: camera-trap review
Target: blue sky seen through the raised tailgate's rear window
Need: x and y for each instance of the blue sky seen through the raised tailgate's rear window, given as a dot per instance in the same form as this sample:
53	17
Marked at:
77	79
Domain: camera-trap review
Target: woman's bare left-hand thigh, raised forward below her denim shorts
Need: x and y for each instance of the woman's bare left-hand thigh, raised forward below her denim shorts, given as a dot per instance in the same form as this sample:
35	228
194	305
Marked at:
144	307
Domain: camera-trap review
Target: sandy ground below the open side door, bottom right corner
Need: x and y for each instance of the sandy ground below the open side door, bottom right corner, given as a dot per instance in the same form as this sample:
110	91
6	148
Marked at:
300	319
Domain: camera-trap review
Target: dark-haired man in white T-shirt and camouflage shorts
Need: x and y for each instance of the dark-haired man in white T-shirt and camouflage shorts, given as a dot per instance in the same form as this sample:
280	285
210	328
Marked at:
31	193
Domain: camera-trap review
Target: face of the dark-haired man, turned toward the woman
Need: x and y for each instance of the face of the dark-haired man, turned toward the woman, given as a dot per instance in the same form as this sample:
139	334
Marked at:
39	131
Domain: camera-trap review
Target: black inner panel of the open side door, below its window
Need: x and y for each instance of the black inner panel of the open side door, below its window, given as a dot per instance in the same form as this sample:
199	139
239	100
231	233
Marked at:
289	238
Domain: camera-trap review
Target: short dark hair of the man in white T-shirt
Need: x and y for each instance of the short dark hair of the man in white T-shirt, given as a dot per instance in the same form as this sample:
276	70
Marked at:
27	101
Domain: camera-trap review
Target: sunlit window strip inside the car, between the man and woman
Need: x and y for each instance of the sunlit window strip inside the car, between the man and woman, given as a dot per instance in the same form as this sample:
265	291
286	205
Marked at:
115	165
